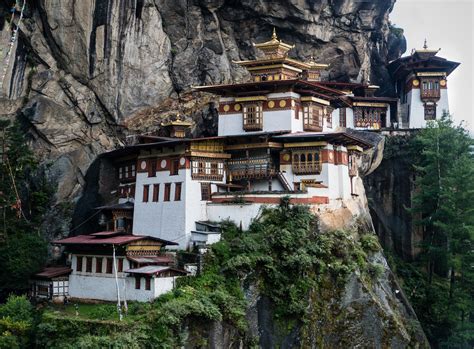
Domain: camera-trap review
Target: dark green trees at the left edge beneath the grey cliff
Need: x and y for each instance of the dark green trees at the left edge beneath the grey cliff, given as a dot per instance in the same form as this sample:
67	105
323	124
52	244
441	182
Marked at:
22	185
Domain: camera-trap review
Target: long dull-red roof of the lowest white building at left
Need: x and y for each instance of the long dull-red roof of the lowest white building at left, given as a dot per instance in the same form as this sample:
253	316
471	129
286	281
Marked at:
108	240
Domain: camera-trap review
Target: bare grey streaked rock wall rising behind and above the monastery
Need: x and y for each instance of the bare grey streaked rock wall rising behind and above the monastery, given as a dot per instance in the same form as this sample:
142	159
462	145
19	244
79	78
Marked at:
80	68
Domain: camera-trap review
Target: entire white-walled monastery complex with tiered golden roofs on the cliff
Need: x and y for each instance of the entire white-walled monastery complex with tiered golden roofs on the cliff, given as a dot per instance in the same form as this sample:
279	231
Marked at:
284	133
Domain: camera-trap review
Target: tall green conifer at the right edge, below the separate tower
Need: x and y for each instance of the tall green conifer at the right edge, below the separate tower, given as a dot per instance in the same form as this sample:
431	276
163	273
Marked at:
445	206
